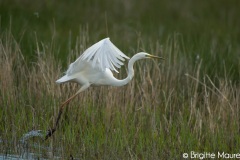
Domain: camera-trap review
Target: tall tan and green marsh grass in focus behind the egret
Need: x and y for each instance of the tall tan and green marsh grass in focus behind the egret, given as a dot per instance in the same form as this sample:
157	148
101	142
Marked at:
169	108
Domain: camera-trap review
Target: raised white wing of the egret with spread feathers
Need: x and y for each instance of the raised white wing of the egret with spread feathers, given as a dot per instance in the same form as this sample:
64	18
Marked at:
104	54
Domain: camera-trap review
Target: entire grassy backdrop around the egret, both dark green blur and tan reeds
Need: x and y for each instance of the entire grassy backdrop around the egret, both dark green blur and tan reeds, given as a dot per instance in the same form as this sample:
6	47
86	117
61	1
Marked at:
161	114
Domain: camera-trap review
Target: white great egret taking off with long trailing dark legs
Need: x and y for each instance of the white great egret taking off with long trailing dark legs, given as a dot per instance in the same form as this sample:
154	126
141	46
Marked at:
94	67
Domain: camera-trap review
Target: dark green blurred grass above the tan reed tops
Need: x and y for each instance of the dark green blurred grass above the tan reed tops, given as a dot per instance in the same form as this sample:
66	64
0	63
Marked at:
213	25
